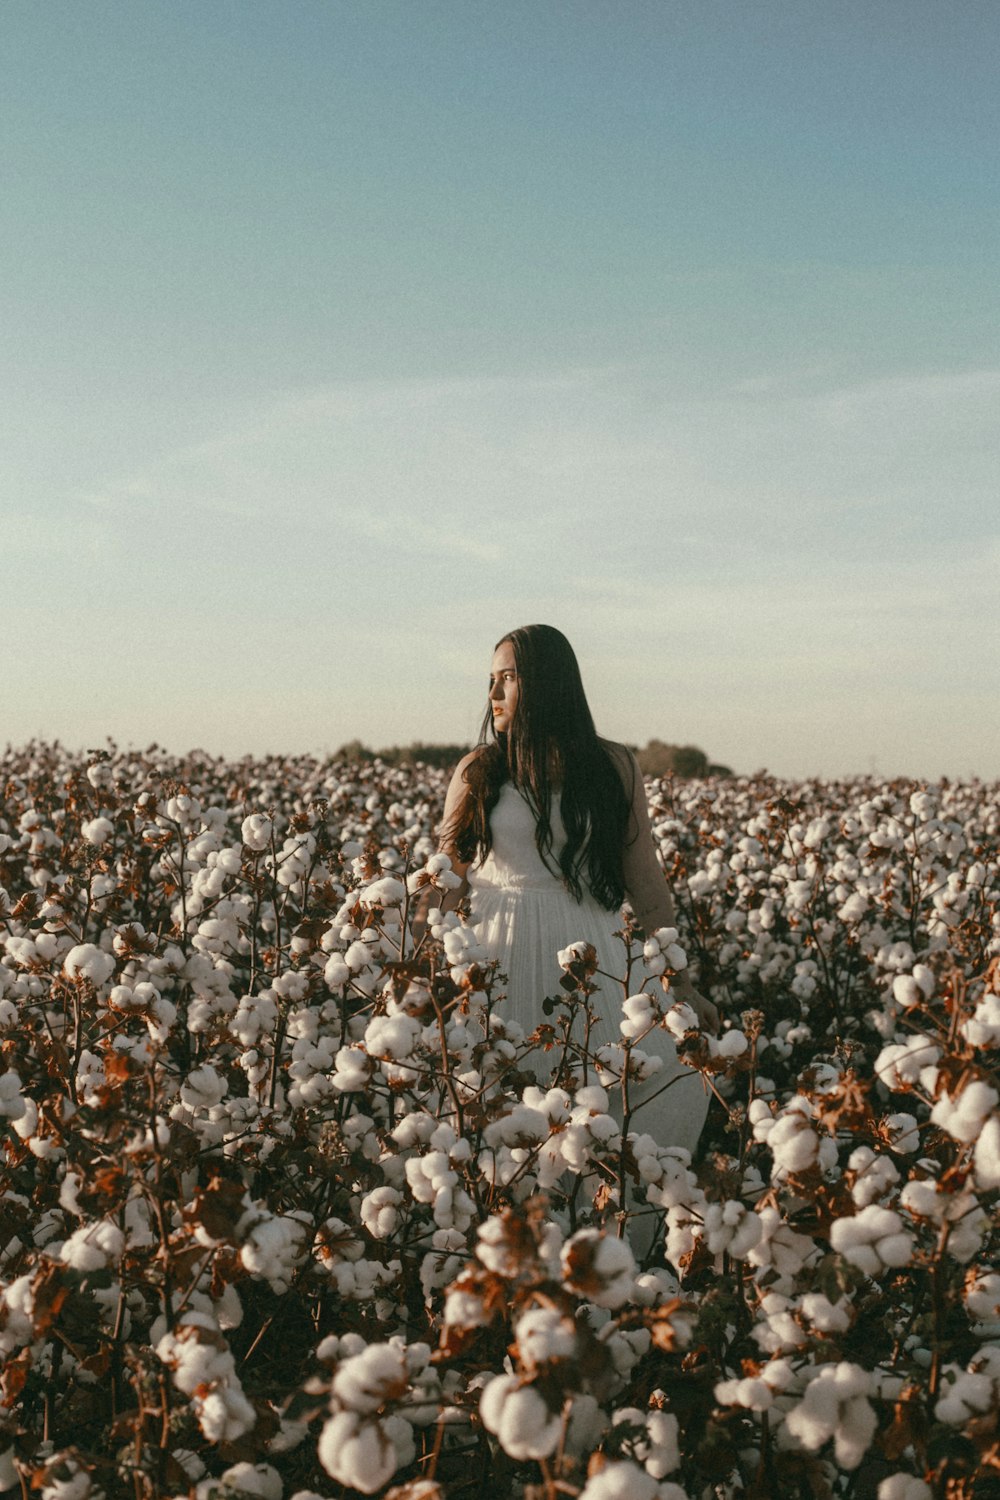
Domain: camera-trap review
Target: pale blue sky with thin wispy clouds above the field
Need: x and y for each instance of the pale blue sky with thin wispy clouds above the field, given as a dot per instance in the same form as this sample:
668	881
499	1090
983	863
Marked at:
343	338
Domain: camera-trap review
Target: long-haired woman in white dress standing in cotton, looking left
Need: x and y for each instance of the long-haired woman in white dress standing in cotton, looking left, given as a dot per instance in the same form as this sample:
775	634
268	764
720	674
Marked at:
549	830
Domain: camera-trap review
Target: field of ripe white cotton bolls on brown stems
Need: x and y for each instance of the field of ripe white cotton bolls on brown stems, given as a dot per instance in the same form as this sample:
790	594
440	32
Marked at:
292	1211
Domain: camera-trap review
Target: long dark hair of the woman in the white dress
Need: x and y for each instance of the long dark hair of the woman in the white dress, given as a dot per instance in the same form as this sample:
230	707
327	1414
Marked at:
551	739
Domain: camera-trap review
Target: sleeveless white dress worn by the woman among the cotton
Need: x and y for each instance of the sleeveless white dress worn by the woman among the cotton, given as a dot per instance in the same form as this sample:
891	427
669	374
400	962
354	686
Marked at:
524	916
